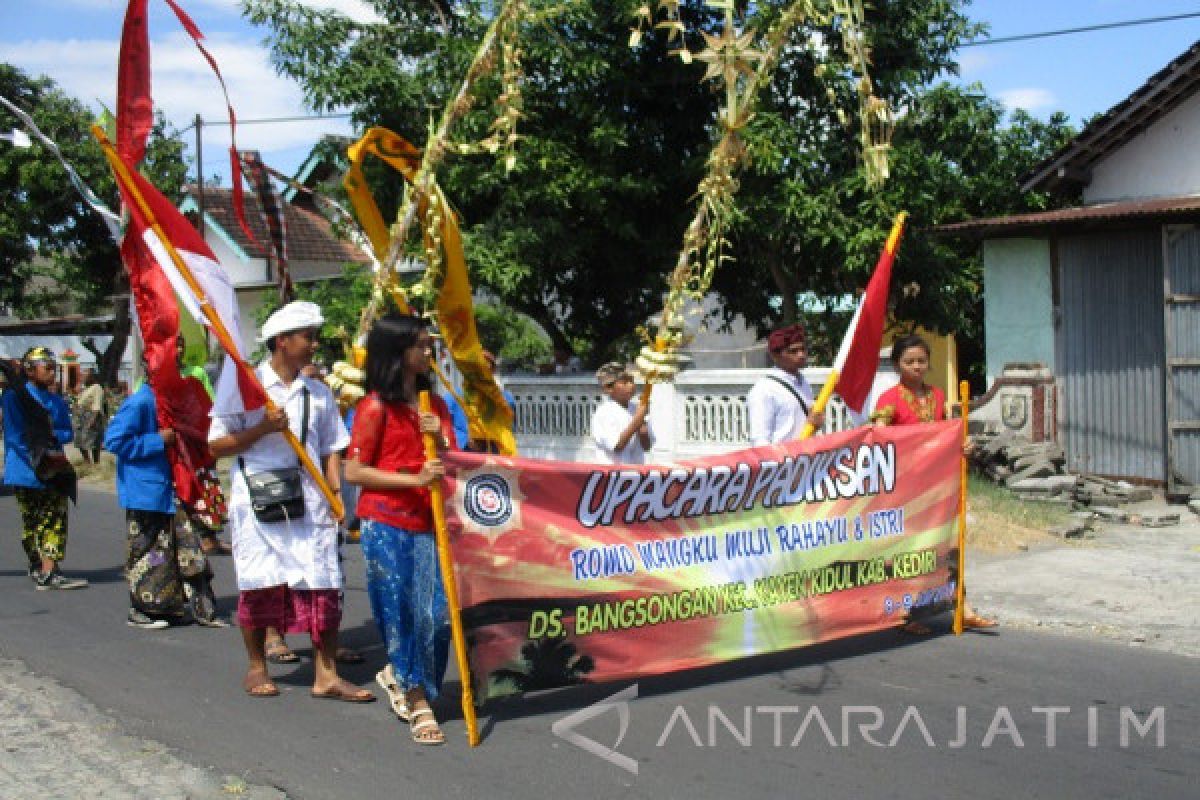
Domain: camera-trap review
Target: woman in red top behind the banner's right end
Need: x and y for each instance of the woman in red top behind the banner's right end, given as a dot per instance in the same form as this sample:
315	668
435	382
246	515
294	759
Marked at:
911	402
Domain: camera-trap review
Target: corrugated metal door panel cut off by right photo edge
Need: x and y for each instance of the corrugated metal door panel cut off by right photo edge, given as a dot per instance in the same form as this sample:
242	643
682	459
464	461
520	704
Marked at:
1184	351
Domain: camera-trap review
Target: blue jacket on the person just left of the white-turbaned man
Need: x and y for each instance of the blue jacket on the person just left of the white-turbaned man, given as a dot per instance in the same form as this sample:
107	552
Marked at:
143	473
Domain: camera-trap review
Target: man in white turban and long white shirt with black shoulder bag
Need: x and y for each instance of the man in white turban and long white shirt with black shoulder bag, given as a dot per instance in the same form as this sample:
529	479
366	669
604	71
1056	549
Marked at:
289	575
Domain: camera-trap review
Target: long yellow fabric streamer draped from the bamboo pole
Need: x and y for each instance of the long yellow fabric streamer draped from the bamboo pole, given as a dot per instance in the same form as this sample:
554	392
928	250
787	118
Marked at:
489	416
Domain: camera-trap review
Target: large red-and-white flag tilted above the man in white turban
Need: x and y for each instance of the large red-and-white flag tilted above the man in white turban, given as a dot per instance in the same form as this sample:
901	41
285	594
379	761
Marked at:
211	287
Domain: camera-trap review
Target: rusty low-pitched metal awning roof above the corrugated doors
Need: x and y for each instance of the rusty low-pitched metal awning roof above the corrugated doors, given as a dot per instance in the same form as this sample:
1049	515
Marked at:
1159	210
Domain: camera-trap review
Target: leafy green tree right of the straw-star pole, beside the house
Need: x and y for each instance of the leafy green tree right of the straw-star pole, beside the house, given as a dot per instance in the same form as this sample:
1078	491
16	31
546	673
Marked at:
811	231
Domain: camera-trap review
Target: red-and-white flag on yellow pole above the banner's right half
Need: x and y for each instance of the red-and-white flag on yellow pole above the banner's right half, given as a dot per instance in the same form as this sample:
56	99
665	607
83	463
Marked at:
860	354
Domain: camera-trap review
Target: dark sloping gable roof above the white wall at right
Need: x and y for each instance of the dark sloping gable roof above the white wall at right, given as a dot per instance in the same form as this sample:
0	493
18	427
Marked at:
1071	167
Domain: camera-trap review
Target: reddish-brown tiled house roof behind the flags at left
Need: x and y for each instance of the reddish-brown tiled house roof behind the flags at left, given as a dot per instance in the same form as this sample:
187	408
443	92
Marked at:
310	236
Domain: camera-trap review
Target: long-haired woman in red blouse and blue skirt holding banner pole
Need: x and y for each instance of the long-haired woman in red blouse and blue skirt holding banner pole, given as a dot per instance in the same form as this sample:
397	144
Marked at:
387	460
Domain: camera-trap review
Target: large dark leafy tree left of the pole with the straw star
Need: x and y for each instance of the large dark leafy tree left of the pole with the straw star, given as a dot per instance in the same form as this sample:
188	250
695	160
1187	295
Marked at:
580	236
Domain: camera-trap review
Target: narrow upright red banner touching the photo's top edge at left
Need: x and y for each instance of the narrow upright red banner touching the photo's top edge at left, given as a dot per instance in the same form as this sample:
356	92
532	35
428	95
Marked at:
135	107
